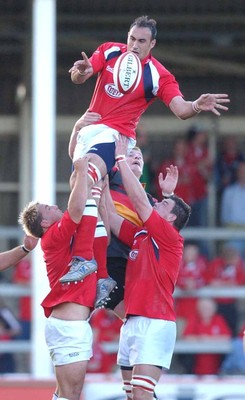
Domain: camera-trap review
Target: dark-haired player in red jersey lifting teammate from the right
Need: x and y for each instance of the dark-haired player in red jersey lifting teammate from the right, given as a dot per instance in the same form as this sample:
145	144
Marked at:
152	270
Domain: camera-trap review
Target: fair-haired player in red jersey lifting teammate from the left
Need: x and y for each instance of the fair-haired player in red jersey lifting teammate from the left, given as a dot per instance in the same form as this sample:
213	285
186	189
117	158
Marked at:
67	307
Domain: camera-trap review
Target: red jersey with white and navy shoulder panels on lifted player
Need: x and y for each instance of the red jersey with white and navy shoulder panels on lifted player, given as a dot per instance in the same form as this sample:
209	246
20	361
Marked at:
122	112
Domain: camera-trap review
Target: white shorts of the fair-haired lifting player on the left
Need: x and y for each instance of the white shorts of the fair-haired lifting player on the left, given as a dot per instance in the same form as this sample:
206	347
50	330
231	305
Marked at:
68	341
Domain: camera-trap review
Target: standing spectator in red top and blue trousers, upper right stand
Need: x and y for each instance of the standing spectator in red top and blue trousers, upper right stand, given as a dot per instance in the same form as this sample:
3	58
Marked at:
200	165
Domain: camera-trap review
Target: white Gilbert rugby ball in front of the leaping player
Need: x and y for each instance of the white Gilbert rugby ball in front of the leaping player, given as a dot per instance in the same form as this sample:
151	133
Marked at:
127	72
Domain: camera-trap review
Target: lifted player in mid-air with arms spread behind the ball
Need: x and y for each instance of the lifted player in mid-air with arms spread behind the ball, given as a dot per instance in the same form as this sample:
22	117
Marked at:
120	111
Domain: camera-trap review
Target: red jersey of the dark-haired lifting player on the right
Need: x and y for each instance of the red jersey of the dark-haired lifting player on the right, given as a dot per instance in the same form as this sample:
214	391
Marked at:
152	268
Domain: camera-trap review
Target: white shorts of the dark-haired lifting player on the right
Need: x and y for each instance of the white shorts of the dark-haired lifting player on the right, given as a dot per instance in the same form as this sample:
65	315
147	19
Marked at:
146	341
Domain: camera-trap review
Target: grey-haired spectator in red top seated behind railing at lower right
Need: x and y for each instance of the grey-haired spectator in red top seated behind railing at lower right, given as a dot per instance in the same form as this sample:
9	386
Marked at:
206	324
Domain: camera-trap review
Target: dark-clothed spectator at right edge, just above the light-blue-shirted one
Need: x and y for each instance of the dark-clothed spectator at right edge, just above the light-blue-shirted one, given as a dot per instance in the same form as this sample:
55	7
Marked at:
227	162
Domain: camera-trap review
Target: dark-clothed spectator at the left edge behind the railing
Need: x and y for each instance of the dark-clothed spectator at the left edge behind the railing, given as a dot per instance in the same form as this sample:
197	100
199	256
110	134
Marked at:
9	329
